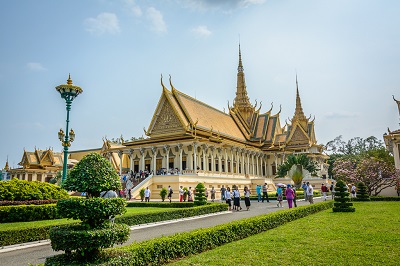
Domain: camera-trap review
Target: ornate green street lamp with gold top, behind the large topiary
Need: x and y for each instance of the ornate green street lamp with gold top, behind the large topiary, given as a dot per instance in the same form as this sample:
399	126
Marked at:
68	93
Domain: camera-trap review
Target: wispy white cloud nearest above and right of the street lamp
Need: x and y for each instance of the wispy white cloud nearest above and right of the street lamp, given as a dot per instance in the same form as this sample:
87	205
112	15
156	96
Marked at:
103	23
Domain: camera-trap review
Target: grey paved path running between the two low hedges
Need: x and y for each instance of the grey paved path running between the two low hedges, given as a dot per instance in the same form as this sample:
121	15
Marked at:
37	253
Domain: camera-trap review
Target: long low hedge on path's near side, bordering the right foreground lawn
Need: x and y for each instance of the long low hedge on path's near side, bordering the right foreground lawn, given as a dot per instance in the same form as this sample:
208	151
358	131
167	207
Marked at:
168	248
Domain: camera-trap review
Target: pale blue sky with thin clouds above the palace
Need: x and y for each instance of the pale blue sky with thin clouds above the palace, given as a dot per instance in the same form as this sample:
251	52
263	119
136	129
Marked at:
346	55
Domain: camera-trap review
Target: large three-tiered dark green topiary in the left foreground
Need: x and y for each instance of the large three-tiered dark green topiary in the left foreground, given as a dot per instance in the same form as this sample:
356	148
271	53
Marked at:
93	174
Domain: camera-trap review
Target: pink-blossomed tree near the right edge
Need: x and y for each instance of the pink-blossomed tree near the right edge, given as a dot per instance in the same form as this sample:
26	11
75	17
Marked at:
377	174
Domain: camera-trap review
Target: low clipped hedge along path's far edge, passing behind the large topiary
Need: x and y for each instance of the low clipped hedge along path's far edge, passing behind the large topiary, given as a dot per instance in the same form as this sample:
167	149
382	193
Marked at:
29	234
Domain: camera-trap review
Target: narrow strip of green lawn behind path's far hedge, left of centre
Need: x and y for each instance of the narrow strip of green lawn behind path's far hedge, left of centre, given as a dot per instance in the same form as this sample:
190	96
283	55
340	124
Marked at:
20	225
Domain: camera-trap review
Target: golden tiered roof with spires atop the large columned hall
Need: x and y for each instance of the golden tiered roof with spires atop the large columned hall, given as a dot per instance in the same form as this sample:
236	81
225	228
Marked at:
178	114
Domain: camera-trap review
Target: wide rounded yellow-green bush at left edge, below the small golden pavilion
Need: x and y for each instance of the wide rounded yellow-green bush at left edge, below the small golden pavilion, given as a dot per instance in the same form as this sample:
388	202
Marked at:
23	190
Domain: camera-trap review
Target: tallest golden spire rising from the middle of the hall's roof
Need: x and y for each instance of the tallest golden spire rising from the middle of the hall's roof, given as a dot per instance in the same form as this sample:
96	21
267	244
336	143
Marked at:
242	102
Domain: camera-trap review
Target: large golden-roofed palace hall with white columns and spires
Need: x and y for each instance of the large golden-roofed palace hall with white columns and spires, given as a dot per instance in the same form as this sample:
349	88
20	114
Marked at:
200	143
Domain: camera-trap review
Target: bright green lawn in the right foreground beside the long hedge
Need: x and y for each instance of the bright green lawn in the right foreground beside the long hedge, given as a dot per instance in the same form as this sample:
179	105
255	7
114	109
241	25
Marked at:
369	236
